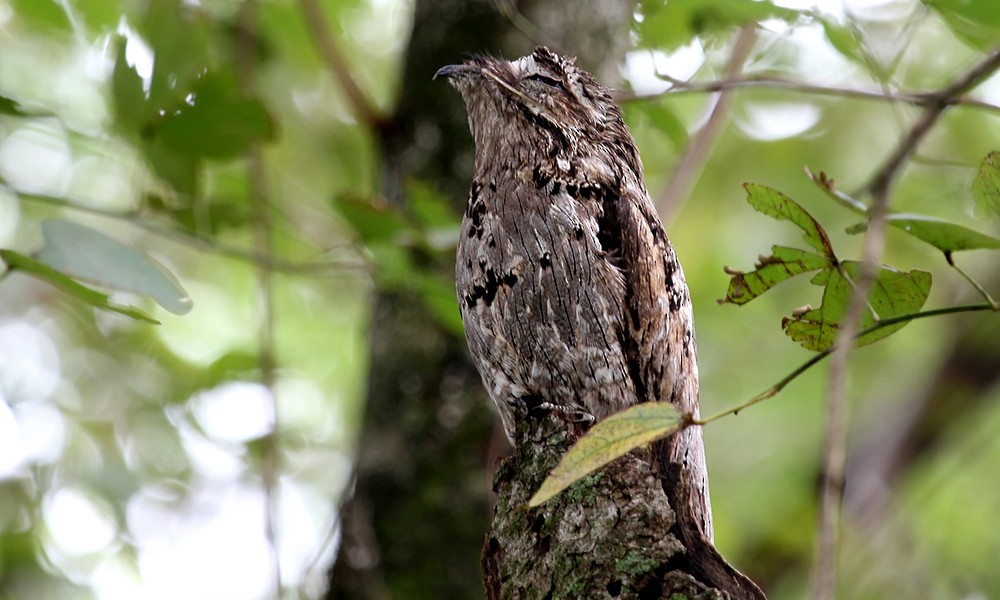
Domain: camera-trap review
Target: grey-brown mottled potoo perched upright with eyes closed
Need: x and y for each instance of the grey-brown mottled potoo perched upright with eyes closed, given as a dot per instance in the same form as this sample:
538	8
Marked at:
571	294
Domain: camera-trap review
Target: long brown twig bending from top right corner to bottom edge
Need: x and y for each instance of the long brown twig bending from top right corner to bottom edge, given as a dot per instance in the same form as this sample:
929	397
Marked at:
835	437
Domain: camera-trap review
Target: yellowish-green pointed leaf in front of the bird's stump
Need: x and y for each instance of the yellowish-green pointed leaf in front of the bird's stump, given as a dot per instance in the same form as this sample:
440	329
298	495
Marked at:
606	441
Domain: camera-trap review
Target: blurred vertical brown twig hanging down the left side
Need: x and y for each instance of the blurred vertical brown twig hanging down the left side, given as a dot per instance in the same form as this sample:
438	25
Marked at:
271	461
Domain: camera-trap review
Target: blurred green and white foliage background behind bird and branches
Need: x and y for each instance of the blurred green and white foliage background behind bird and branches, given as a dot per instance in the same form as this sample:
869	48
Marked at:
294	167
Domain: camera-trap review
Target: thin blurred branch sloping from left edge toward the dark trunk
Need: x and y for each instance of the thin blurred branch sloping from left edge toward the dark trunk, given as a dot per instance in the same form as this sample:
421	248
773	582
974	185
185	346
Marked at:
135	218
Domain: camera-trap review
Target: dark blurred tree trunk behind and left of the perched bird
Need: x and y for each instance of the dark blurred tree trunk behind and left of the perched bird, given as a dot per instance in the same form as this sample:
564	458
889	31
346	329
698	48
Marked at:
414	524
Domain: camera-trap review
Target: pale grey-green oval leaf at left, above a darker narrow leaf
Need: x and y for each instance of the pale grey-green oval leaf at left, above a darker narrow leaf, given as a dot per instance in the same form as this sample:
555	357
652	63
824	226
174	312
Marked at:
84	253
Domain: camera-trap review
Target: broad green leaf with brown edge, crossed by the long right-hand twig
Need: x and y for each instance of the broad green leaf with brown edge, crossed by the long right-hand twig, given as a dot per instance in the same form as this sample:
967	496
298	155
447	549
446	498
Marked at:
893	294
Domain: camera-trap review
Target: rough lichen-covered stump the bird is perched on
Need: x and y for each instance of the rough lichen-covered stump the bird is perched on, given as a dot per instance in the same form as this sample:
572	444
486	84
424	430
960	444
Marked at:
607	536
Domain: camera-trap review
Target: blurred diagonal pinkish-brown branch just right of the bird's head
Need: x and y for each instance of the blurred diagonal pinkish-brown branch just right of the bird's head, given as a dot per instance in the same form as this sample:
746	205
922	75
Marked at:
692	162
